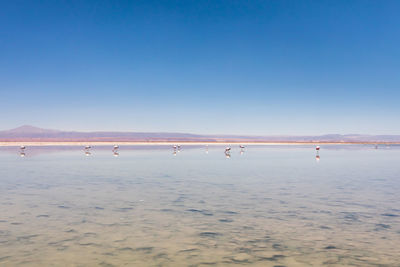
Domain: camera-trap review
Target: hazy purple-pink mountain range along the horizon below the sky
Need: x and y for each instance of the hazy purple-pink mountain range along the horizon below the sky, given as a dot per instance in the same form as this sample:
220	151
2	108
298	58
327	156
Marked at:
31	133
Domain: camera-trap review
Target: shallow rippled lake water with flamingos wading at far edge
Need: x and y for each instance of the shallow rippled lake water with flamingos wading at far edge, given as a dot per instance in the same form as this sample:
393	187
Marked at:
271	206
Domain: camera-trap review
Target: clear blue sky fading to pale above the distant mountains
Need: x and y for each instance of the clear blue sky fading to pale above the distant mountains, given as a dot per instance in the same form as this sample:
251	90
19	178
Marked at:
234	67
